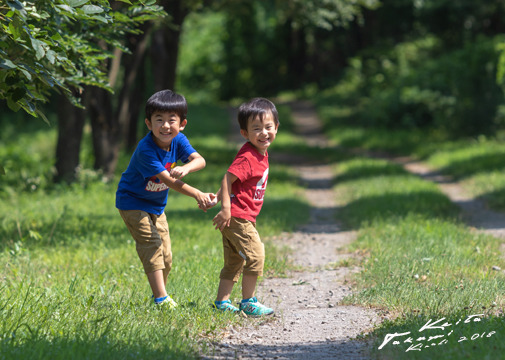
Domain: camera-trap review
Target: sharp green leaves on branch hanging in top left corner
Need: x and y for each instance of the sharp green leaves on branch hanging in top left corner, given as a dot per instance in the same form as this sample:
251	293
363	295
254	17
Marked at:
47	45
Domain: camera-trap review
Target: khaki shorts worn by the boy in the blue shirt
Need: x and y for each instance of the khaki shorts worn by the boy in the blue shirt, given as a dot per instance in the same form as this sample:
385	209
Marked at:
152	239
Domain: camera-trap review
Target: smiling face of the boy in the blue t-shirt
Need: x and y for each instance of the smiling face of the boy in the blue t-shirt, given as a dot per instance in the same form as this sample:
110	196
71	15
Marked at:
165	126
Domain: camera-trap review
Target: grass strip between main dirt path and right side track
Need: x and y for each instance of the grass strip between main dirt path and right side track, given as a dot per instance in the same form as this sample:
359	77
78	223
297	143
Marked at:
420	262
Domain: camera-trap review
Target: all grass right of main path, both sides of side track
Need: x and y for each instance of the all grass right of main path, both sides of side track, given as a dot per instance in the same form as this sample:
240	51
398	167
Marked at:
420	262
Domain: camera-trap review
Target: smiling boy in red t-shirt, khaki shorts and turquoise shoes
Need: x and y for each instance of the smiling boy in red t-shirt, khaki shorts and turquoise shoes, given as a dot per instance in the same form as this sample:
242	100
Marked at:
241	194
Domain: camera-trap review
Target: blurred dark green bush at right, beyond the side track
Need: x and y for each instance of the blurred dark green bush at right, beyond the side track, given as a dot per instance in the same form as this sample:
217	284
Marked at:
419	84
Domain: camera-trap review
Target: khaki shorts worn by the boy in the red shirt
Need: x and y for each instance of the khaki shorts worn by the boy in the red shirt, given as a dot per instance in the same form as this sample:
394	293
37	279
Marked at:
243	250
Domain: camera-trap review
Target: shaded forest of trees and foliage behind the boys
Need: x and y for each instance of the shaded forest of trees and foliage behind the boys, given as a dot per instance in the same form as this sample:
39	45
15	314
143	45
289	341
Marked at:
408	64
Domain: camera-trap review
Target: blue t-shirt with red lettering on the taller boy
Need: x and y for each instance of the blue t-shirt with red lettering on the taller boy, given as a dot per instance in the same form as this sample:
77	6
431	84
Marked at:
139	188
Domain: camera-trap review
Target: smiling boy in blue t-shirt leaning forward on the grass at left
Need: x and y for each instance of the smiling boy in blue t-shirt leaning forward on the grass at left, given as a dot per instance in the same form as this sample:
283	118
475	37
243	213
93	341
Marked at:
142	192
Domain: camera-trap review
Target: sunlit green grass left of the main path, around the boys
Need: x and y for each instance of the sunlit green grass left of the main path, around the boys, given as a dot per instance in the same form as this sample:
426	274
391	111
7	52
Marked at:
71	283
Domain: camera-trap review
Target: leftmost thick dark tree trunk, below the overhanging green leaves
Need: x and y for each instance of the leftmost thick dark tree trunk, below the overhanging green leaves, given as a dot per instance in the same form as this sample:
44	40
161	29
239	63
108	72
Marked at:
70	128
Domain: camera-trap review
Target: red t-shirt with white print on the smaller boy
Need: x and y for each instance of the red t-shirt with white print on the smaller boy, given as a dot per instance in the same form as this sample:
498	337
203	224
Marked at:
251	169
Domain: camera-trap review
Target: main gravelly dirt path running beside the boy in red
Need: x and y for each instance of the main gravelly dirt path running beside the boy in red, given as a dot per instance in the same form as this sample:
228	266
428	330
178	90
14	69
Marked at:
309	322
